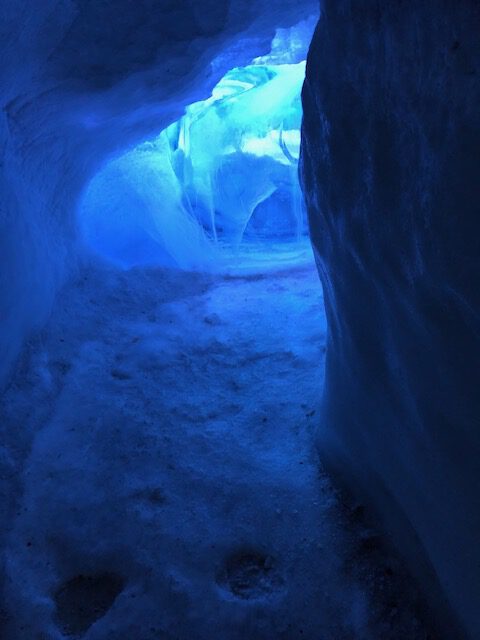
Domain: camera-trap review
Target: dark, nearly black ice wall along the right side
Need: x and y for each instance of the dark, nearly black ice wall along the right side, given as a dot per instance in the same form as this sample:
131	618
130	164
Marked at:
391	172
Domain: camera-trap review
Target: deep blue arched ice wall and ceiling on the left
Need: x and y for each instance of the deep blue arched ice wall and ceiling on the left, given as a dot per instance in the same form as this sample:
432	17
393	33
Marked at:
80	83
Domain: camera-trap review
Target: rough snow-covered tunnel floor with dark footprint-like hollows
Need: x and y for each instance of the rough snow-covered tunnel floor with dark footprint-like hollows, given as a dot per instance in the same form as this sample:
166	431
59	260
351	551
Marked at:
161	475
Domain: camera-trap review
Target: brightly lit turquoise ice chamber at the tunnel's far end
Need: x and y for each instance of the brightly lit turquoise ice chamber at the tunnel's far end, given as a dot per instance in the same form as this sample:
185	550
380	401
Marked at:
218	189
